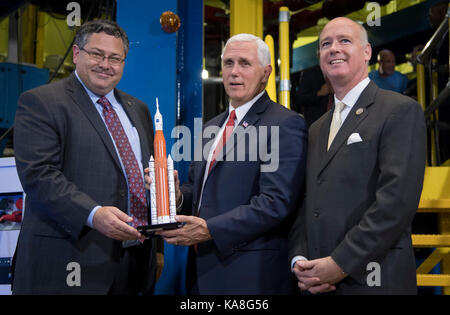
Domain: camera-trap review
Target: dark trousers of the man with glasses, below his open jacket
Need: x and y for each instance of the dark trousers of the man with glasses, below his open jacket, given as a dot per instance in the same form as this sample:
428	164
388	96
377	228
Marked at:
136	276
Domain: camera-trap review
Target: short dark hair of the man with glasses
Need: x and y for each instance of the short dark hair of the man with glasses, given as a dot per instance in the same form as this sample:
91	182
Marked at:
101	26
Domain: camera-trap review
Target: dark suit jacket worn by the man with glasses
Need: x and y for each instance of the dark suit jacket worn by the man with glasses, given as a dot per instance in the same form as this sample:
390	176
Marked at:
67	165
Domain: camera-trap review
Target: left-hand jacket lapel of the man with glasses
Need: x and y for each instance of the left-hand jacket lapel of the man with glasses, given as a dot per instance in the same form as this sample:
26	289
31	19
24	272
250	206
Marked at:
84	102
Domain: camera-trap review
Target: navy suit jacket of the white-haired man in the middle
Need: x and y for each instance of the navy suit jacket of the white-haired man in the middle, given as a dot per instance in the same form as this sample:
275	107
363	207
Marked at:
248	212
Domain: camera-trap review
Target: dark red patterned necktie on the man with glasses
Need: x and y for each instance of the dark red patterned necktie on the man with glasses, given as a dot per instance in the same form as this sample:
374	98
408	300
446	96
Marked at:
136	191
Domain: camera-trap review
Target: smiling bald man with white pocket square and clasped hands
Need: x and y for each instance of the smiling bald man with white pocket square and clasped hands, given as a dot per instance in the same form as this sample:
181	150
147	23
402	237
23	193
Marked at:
365	170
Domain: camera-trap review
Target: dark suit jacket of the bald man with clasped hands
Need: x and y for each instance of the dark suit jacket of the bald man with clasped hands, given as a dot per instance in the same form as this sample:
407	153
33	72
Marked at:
362	197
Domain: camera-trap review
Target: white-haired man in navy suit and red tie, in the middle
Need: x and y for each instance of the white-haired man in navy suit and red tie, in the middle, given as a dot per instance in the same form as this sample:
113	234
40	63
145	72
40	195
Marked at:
242	197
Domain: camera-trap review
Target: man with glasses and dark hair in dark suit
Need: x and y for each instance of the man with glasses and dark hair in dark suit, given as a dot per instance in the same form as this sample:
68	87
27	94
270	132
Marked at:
80	144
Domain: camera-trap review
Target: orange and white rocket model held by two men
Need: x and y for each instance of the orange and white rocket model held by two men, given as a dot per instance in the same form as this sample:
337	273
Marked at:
162	187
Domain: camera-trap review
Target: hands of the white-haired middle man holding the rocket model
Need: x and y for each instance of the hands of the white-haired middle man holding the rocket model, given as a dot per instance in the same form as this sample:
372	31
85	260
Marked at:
195	229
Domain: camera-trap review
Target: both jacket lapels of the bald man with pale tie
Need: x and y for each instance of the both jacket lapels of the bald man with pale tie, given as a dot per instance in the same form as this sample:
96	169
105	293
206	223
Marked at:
358	113
